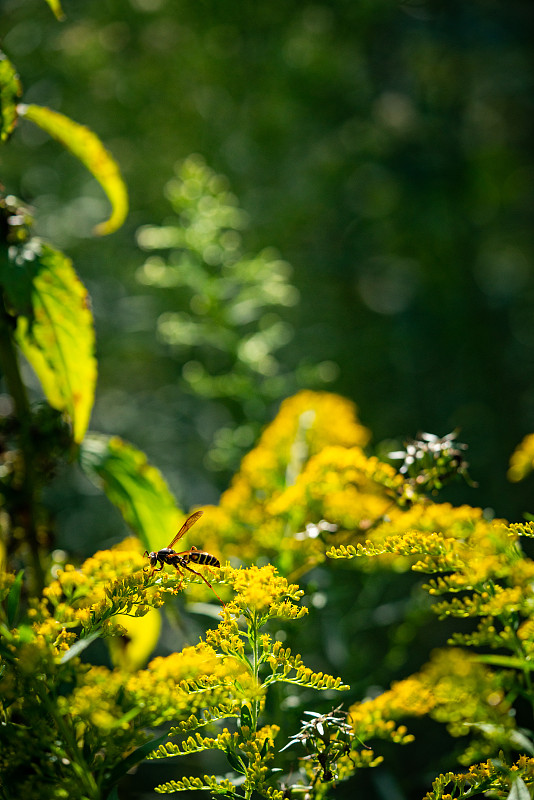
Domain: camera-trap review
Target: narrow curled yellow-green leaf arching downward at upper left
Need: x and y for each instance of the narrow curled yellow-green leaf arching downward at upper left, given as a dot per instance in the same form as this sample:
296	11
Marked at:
87	147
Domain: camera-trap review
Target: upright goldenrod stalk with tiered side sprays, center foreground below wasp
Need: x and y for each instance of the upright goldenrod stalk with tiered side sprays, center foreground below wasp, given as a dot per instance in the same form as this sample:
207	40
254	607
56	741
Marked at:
254	661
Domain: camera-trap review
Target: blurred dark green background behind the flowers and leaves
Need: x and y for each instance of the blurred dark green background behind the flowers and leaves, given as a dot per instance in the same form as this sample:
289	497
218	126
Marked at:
384	149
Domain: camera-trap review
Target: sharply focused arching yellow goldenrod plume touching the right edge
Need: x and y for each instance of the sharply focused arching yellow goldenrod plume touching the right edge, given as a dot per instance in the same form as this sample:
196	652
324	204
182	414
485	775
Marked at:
477	562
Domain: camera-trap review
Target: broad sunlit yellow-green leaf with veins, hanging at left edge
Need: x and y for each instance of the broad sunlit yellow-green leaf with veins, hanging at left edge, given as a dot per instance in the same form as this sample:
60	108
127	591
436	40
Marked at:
54	327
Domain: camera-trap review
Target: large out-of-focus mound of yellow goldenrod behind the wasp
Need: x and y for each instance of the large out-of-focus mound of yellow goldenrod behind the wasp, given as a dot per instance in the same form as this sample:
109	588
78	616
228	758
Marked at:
308	469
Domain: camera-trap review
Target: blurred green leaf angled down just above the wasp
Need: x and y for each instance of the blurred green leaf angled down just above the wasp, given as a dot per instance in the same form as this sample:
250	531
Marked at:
132	484
